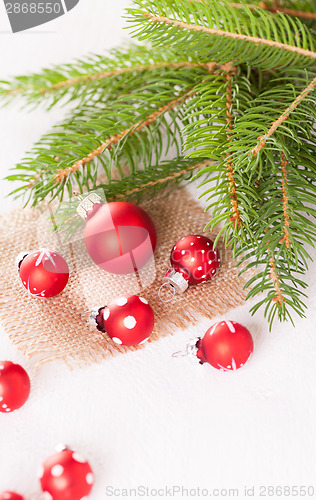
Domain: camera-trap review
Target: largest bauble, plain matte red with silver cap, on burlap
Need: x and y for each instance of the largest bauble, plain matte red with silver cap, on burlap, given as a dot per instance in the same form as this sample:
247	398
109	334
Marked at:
119	237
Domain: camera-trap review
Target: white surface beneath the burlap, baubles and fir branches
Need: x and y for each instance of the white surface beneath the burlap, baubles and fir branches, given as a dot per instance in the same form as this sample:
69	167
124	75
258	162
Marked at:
146	418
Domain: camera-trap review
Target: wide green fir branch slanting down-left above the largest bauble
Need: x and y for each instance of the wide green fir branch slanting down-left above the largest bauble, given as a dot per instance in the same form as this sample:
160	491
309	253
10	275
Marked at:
112	133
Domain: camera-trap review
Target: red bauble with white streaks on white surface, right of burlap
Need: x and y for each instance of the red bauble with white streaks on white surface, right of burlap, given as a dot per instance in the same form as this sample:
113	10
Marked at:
226	345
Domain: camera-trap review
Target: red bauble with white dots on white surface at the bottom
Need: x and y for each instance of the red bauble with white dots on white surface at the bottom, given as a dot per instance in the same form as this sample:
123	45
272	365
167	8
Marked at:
66	476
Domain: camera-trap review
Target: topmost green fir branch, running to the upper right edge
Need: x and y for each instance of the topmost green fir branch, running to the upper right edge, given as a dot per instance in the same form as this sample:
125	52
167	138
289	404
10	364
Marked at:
214	29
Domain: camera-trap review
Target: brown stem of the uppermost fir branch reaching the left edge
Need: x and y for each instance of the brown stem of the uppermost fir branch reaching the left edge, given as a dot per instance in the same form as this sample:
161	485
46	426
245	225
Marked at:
105	74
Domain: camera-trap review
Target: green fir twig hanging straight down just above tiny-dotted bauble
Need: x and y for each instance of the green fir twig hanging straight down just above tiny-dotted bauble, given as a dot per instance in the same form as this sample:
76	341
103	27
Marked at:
210	135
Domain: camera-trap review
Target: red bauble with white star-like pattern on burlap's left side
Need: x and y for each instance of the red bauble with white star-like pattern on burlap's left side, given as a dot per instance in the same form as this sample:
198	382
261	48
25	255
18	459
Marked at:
44	273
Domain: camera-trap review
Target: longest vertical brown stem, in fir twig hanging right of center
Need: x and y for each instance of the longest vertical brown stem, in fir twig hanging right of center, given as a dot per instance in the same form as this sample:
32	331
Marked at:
232	183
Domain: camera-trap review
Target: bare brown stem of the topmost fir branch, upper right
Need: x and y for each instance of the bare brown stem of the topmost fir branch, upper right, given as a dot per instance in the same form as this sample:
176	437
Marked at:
228	34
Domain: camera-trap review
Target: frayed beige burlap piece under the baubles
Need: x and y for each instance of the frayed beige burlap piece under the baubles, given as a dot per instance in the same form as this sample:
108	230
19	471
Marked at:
54	329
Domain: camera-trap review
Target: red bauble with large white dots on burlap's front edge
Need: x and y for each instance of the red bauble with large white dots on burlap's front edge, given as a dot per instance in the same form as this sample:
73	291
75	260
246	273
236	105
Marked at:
128	320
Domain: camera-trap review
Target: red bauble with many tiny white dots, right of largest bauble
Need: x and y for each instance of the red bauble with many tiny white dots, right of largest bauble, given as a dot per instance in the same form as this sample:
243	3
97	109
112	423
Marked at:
194	260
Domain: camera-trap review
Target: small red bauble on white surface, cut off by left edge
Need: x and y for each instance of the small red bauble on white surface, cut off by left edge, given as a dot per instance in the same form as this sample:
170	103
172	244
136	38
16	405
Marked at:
15	386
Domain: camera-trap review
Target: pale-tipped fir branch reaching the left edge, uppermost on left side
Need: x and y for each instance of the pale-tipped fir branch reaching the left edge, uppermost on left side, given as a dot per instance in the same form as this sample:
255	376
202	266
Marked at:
95	77
